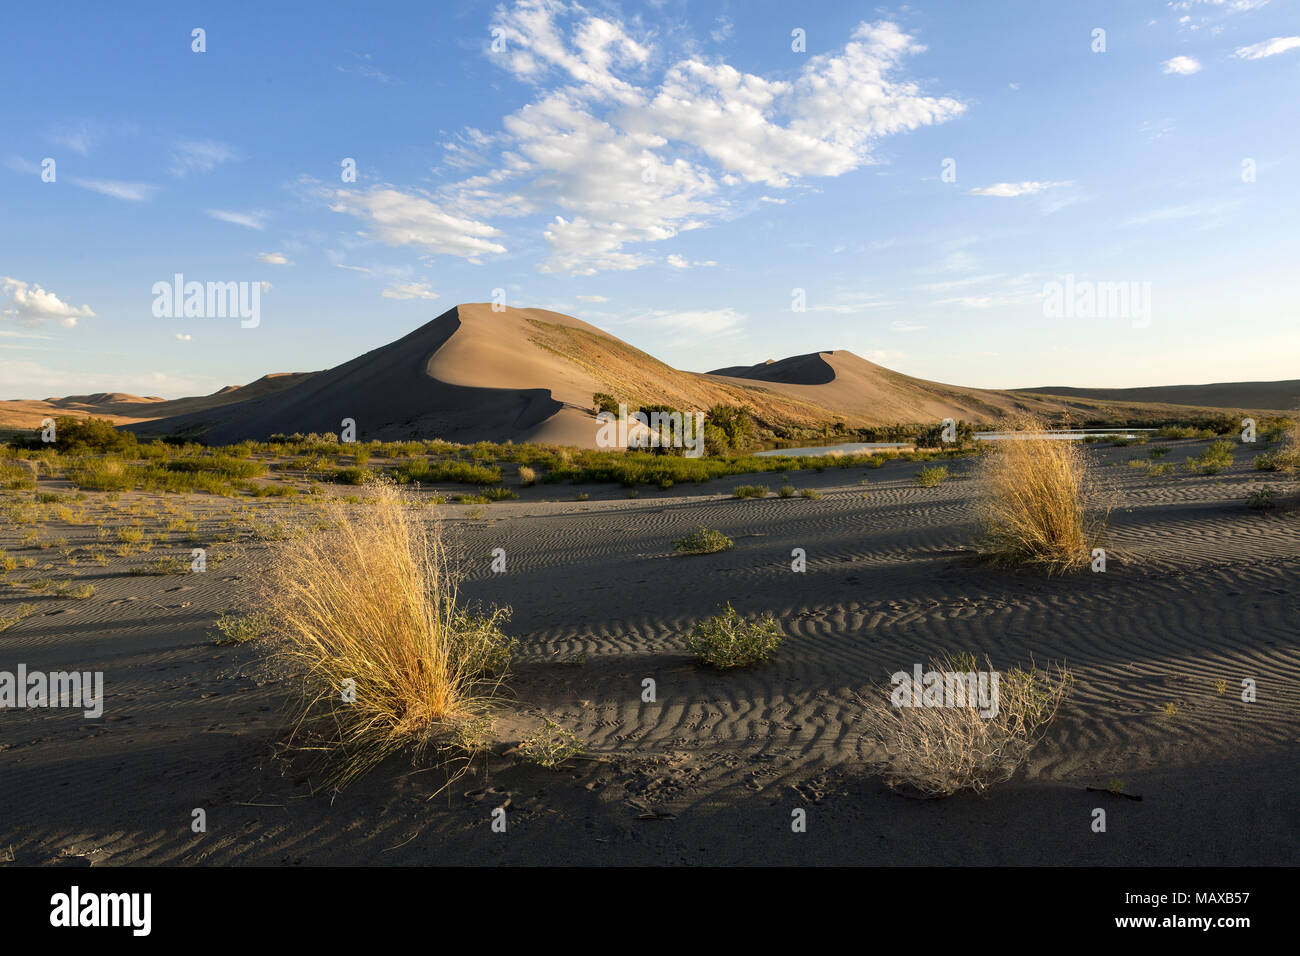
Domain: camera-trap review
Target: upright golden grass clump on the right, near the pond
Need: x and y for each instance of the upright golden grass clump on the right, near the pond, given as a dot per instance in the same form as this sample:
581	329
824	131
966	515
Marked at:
1037	501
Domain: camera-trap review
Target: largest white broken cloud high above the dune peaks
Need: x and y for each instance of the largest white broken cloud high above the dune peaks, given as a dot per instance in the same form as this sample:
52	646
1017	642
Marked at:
619	158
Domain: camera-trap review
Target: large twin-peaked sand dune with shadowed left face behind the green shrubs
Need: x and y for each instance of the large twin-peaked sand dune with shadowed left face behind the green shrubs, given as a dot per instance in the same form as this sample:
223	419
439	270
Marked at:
528	375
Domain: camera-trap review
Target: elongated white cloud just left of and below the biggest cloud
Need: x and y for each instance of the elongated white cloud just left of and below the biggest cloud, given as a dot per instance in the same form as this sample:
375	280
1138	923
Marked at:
400	219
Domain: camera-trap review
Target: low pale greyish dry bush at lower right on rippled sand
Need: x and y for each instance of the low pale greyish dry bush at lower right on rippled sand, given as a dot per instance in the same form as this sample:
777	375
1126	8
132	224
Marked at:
939	751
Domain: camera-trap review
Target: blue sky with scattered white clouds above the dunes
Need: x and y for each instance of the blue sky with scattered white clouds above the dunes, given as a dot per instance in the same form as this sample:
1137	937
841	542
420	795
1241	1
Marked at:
669	172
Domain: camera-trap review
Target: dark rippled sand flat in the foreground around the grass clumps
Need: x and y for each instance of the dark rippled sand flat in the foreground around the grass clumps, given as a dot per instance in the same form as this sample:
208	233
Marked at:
1199	590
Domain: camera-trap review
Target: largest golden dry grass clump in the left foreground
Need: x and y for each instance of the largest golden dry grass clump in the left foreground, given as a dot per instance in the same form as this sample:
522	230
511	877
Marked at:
366	611
